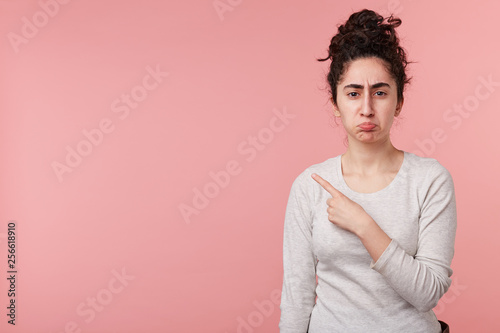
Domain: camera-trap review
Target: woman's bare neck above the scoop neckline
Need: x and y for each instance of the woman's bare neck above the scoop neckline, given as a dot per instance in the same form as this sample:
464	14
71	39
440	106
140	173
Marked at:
372	158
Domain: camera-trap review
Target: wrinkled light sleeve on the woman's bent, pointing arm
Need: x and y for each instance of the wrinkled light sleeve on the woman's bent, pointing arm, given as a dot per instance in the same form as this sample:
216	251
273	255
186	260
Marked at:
424	278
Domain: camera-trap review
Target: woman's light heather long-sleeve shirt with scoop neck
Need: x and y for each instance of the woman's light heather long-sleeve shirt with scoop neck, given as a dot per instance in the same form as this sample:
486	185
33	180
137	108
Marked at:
417	210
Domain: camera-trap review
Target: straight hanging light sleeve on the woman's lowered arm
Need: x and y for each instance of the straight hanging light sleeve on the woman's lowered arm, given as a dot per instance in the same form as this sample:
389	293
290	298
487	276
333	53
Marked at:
299	262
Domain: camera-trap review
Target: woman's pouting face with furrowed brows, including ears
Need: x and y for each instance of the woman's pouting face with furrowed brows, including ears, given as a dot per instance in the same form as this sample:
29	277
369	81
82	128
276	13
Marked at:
367	101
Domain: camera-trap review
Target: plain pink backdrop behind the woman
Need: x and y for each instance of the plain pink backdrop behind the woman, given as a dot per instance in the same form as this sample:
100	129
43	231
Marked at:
229	73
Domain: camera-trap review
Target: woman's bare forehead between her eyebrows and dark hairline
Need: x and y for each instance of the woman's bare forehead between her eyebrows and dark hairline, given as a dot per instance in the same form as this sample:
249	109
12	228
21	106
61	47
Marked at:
370	70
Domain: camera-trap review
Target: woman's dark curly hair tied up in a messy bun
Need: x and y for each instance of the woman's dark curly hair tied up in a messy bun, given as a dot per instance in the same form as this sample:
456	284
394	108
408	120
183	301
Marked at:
365	35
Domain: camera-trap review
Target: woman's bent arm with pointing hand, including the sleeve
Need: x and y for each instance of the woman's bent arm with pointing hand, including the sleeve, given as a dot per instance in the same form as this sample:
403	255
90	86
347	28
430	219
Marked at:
421	279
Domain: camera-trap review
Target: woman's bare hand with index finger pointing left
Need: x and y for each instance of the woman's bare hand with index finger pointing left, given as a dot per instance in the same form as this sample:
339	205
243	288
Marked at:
342	211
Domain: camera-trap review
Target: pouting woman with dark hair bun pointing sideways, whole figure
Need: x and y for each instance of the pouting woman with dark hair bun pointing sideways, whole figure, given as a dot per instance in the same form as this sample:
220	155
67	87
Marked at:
376	225
